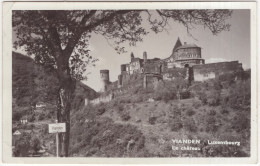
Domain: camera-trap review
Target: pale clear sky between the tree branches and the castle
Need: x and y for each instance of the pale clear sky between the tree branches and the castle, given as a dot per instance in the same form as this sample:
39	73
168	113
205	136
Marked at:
230	45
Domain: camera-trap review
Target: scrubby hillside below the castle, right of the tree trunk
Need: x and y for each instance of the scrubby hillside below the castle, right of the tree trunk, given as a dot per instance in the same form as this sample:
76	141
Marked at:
131	125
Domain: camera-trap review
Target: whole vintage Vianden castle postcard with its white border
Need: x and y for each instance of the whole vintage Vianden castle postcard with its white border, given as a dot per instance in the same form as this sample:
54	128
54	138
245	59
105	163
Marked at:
132	83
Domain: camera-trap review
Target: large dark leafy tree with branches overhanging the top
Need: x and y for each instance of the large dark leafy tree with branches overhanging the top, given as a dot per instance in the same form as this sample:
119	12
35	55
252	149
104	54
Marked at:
59	40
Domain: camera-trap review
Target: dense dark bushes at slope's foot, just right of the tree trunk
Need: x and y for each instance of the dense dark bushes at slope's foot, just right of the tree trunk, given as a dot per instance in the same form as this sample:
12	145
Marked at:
103	137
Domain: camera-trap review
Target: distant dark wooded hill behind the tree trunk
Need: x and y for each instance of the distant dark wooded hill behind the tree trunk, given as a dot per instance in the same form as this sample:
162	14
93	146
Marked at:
32	83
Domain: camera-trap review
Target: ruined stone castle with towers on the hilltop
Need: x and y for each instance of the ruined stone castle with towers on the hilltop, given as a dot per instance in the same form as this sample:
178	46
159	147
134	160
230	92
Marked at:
185	61
